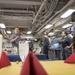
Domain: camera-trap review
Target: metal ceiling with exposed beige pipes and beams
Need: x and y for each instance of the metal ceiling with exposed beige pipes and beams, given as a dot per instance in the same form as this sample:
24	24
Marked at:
33	14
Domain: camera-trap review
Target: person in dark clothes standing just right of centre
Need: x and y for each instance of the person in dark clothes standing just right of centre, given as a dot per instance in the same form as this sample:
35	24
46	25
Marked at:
46	45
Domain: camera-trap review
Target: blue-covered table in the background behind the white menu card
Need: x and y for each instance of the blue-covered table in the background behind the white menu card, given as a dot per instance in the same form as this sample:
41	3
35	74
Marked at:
13	57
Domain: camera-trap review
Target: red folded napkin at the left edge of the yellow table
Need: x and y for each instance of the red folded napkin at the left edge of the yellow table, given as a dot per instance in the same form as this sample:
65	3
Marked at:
4	60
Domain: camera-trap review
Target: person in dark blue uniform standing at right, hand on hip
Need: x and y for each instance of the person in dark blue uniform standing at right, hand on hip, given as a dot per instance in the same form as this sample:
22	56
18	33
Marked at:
66	41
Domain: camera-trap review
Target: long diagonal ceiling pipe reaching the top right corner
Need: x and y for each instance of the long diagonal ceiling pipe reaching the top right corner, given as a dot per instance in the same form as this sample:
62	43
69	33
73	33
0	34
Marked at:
58	12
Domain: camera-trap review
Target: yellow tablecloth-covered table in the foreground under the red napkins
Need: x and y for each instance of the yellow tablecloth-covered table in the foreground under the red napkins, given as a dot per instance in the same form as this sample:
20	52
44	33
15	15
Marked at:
51	67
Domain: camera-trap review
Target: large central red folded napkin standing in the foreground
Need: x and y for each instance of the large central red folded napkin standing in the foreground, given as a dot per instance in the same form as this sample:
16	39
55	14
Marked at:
32	66
